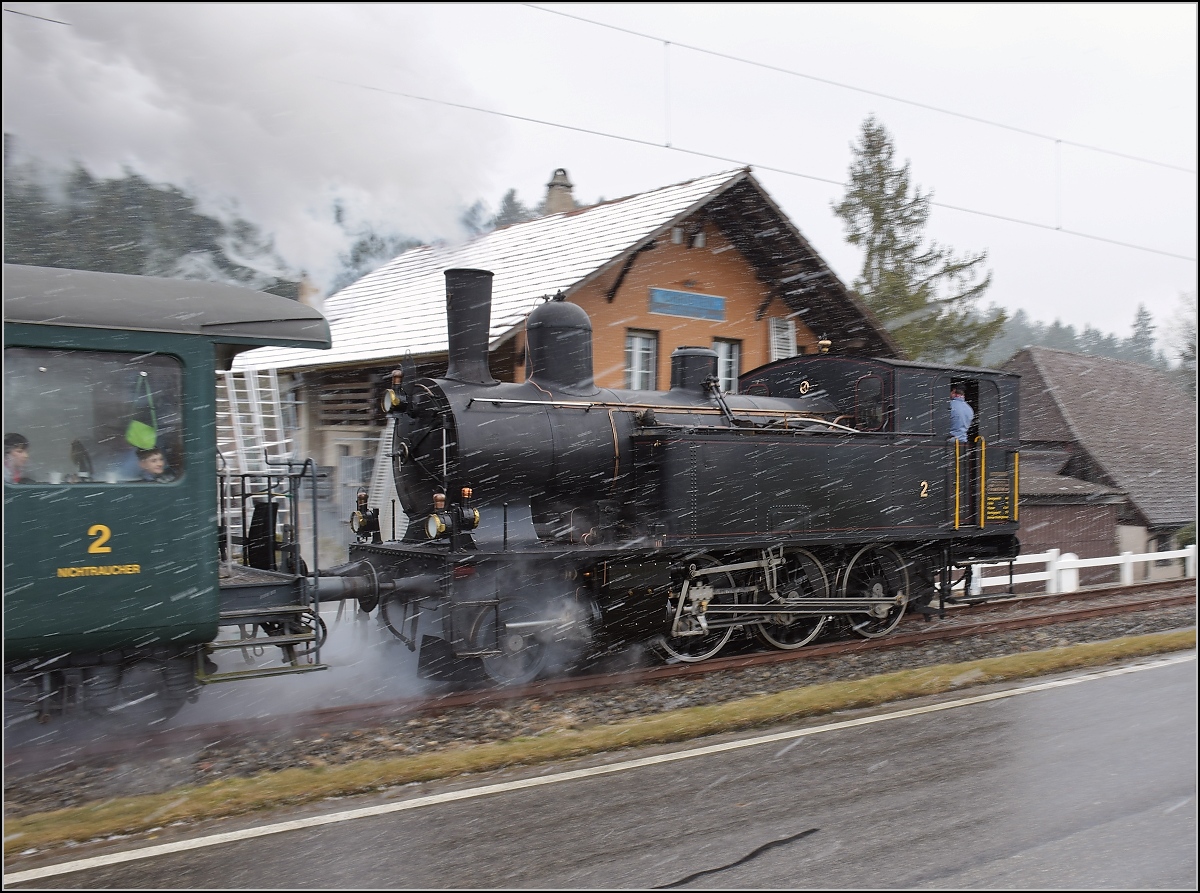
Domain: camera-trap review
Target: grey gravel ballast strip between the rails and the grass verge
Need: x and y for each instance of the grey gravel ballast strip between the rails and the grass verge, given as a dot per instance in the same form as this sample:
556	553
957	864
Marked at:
83	783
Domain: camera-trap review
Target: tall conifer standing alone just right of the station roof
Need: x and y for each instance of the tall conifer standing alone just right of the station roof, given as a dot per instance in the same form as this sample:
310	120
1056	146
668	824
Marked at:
925	297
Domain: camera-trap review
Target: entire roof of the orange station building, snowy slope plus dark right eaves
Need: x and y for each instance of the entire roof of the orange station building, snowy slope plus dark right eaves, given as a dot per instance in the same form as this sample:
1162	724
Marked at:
400	308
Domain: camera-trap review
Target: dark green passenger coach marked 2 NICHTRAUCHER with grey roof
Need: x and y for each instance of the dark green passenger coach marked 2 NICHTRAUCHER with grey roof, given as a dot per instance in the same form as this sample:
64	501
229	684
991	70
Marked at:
110	534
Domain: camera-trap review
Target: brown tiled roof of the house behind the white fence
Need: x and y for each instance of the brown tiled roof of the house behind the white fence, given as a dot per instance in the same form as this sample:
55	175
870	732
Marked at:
1132	422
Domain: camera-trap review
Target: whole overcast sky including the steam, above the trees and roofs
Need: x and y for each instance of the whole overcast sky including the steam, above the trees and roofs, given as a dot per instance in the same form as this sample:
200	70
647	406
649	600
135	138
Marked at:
1060	139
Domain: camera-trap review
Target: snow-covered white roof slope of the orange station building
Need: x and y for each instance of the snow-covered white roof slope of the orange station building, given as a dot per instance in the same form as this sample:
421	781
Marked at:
401	307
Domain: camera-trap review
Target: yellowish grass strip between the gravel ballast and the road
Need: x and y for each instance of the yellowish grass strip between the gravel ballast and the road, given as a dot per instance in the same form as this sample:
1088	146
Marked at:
128	816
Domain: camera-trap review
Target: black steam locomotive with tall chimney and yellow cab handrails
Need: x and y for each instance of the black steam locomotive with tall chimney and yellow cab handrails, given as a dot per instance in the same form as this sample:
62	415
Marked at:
554	519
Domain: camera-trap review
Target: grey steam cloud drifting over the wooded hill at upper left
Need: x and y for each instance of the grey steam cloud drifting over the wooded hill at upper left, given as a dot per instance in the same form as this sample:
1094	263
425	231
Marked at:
254	103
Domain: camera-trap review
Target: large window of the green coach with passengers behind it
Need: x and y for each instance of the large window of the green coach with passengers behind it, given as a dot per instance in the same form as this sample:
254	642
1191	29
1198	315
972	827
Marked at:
91	416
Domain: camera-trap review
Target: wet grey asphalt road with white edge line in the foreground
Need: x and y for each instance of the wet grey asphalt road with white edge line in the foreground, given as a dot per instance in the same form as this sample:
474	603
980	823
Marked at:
1081	782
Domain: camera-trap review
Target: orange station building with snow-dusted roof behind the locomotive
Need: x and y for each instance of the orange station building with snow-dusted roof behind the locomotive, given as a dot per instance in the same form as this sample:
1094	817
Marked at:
711	262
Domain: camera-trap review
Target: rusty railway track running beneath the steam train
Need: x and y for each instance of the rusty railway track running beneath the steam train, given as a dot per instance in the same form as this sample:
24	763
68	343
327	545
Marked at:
997	615
